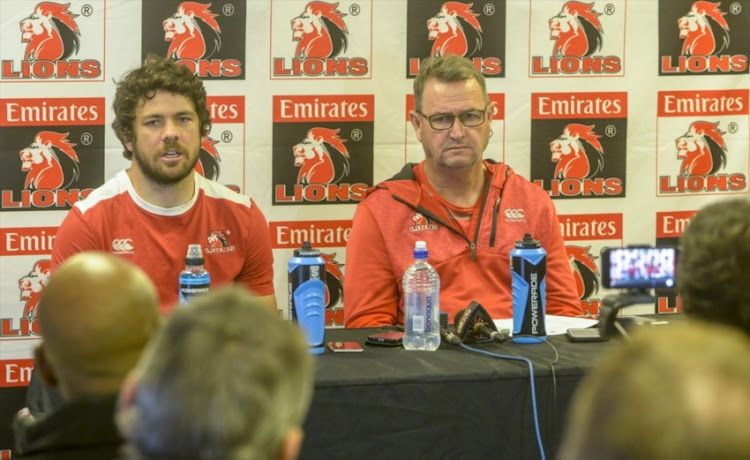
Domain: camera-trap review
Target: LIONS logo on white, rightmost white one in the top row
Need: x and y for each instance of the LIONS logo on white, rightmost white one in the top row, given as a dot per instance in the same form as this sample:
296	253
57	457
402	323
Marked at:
577	35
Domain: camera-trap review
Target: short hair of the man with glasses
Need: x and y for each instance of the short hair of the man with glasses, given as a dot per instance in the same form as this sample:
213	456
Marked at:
448	68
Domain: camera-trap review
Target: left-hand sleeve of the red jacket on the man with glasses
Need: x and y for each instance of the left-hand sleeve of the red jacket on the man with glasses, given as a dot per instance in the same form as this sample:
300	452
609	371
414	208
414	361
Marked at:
370	289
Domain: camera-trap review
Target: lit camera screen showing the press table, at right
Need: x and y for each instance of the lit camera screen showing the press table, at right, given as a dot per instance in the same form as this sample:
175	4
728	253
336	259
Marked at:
635	268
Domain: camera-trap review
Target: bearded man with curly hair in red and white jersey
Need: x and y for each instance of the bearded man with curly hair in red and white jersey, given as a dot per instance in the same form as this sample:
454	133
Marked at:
150	213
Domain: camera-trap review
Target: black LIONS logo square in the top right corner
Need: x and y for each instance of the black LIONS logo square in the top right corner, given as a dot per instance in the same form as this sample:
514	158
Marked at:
703	37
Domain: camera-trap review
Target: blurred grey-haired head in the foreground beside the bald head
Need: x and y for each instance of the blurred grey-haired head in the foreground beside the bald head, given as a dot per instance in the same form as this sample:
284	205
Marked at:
225	378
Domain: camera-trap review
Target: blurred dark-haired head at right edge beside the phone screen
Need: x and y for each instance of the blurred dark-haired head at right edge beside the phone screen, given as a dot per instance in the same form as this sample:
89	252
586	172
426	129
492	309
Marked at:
714	264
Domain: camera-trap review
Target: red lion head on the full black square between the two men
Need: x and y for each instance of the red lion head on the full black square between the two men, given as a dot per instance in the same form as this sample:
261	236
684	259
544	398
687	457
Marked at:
313	157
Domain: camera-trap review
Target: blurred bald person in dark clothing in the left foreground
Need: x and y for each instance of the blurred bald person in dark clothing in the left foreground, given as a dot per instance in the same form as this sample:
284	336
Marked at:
96	316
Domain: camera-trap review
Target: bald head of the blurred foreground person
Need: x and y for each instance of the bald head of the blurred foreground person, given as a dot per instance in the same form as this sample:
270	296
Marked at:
96	315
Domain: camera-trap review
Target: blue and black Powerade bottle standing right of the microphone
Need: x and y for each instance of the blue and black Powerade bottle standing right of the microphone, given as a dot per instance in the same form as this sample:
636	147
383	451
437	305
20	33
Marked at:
528	267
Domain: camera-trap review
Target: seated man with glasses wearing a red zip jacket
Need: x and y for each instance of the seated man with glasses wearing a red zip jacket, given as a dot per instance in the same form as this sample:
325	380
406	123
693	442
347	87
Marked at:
470	212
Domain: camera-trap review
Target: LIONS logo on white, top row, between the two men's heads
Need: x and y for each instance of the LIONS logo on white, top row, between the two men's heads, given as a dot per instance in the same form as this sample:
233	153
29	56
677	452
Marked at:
320	38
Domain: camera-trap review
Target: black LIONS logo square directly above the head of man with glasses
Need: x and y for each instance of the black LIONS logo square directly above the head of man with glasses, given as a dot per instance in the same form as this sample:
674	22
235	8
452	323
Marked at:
438	28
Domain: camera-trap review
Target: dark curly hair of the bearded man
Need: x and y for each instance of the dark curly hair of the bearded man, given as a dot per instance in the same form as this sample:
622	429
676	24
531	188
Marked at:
157	73
